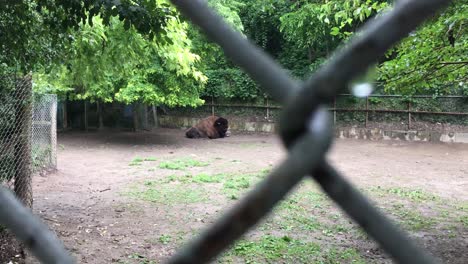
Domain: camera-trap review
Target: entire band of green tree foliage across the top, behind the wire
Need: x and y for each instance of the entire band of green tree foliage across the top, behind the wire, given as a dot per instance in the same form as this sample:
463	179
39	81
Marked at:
142	52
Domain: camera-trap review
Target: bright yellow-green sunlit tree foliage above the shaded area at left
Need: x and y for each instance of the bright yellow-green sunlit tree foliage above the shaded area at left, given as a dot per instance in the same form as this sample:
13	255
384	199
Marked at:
131	68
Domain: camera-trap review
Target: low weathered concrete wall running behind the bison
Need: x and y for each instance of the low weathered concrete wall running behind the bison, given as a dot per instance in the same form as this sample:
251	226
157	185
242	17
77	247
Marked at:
340	132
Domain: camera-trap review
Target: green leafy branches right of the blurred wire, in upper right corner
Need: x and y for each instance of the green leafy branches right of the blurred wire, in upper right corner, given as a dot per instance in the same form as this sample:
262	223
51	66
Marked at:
432	60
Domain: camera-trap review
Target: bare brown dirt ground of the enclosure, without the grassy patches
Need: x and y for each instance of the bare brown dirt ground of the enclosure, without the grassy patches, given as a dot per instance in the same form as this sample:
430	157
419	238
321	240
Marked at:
85	200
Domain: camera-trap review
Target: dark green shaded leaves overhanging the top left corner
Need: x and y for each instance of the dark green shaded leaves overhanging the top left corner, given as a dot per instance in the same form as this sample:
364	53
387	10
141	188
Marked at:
35	32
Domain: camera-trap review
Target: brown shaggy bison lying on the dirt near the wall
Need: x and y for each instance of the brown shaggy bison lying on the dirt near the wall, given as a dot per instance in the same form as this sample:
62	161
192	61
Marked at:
210	127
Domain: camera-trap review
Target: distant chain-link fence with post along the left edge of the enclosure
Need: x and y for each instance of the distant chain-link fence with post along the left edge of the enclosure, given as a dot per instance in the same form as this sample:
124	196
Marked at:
27	142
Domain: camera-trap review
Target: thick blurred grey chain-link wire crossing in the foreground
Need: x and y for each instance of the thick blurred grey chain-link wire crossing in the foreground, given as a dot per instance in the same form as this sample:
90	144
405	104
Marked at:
306	129
